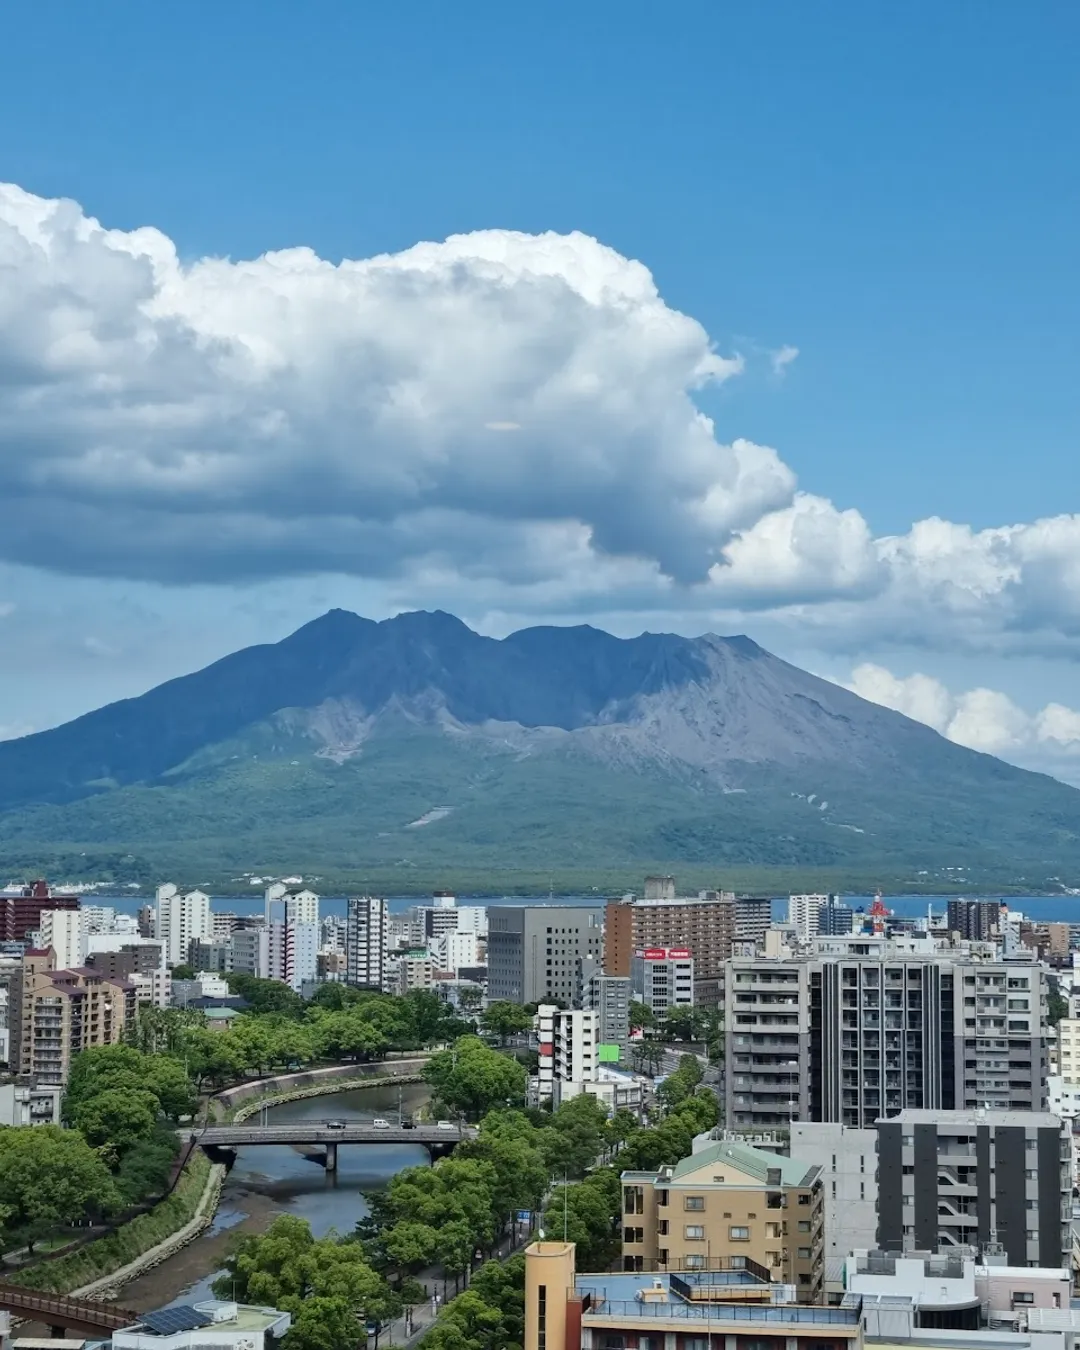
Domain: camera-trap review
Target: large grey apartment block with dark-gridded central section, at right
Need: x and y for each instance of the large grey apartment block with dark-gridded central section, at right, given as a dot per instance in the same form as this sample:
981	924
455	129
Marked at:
882	1029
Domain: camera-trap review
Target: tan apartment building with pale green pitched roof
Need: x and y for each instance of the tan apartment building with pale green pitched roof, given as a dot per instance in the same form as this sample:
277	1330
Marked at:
730	1208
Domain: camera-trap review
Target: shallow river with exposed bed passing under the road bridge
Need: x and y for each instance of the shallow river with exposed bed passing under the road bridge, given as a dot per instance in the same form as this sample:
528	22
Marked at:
272	1181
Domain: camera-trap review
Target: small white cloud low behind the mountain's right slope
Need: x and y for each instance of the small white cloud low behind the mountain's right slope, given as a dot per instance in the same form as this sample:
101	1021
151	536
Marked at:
981	719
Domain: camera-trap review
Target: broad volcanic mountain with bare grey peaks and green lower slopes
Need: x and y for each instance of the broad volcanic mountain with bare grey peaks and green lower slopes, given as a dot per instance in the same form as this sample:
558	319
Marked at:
661	747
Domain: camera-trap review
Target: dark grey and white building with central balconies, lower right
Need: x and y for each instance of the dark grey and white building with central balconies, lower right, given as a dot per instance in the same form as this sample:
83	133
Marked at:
998	1182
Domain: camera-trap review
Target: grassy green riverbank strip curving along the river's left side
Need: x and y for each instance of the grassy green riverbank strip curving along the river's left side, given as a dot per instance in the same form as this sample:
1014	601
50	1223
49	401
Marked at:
106	1256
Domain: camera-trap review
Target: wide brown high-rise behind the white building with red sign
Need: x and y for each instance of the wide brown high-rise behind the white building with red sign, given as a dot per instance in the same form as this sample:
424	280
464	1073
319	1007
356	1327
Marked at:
708	924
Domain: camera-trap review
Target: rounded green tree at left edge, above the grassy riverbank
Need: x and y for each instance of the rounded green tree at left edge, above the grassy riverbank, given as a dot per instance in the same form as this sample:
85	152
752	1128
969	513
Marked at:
51	1178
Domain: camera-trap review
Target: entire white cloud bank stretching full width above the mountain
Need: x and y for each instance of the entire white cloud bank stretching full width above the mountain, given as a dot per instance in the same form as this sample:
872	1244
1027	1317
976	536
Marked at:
497	423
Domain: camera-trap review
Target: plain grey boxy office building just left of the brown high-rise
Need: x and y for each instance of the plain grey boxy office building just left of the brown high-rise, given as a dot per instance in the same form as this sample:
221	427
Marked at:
534	951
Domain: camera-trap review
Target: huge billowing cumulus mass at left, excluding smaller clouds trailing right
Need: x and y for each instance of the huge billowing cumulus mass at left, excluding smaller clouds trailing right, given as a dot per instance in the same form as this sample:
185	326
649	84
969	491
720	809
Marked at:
284	415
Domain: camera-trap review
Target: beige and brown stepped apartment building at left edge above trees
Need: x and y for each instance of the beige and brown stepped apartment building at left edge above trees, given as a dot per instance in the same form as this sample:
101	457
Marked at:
55	1015
